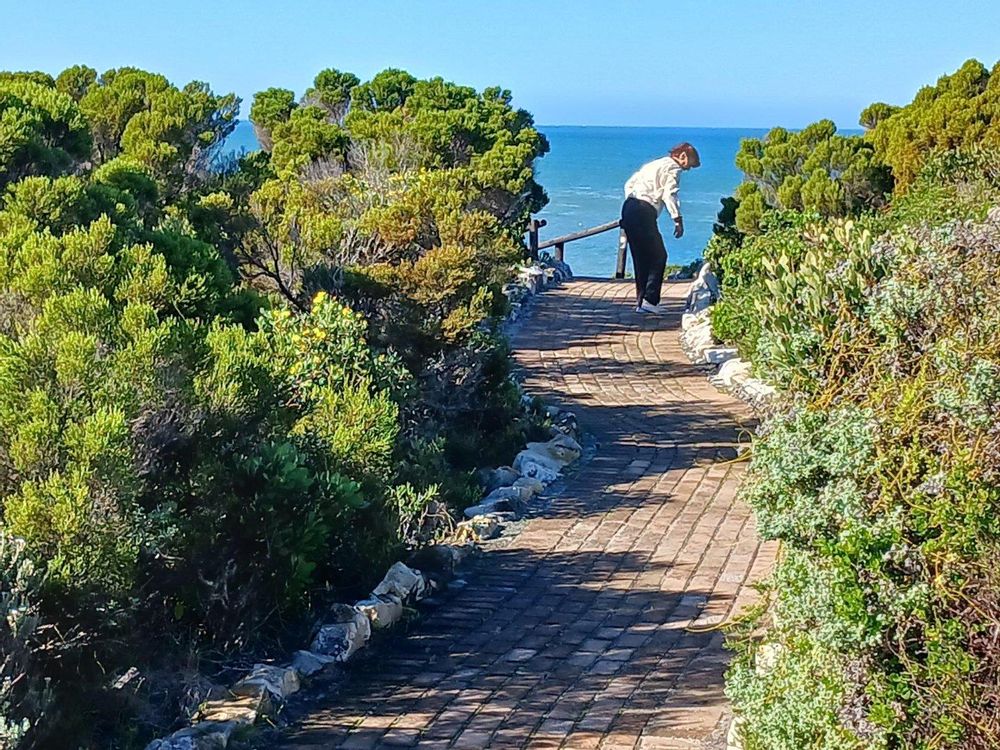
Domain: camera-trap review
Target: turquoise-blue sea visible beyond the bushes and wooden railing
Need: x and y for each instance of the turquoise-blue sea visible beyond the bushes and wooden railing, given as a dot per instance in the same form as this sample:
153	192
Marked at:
585	172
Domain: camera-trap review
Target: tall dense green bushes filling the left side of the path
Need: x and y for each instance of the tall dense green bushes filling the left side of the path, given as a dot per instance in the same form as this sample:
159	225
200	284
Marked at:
231	387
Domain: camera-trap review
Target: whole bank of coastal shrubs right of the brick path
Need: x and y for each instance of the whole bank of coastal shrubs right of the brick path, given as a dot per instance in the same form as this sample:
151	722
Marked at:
861	275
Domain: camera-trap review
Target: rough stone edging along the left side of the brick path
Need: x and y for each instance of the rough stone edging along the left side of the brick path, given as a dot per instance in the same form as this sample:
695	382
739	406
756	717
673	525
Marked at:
348	627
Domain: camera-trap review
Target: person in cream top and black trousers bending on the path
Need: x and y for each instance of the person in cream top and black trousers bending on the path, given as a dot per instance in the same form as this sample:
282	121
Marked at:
647	192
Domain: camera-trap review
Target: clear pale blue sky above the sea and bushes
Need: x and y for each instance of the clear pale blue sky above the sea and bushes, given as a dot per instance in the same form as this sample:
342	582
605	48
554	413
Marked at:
749	63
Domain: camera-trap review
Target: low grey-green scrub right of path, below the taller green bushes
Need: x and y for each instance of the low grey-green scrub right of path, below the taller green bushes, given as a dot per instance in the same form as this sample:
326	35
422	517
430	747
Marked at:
881	487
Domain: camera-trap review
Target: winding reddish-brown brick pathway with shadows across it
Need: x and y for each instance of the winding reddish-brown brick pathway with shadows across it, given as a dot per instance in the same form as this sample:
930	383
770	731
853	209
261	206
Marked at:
575	634
